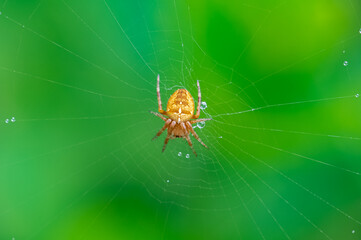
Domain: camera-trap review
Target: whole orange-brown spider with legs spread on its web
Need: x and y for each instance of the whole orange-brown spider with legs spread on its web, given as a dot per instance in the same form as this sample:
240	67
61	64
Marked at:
180	109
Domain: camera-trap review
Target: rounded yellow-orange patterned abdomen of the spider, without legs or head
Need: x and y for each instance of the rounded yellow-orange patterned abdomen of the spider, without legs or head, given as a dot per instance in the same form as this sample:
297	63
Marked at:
180	107
